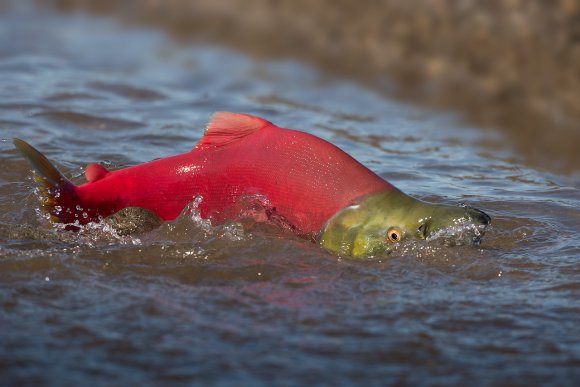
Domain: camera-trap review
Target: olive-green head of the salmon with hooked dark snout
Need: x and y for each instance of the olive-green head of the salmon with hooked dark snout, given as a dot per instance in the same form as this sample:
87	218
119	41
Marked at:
376	223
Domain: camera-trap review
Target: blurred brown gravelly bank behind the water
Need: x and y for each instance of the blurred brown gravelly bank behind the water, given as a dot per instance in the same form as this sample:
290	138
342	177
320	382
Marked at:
512	65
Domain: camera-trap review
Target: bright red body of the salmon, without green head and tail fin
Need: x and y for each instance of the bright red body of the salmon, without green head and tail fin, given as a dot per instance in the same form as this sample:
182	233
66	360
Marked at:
305	179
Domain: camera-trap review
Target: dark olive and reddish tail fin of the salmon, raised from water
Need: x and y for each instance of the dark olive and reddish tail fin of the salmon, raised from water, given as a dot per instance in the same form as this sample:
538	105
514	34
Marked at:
57	192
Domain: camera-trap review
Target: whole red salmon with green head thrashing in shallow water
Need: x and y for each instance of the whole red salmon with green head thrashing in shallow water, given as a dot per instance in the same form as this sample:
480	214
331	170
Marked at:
245	166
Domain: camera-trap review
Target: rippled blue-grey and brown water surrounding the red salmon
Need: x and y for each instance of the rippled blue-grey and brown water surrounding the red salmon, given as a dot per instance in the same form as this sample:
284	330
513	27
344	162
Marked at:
192	303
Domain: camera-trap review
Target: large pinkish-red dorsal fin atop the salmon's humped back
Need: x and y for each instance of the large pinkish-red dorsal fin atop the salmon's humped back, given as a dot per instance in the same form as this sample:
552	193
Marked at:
225	128
